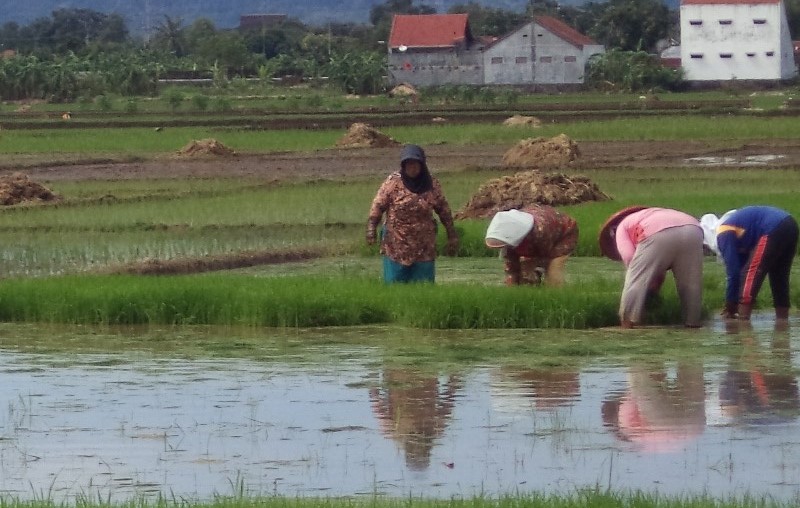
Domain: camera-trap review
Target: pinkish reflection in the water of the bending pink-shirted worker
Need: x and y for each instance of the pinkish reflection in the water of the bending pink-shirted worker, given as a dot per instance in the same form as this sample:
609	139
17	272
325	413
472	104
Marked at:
656	413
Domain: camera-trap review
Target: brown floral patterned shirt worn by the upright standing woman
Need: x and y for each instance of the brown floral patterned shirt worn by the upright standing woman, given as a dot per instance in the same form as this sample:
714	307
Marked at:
409	230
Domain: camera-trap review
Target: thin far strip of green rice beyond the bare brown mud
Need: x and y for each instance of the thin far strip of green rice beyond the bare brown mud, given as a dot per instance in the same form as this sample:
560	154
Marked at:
724	130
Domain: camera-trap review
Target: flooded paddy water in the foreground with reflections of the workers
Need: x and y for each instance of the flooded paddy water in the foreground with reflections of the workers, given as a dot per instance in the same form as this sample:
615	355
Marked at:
121	414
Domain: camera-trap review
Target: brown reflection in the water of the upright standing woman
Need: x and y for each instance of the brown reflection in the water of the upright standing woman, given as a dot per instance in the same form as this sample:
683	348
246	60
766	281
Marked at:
414	408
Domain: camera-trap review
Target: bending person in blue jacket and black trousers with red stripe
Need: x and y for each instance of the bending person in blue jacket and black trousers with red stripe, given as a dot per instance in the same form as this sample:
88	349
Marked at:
755	242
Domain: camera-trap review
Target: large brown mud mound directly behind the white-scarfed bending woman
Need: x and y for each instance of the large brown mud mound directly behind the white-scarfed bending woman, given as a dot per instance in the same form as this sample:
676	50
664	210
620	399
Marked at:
528	188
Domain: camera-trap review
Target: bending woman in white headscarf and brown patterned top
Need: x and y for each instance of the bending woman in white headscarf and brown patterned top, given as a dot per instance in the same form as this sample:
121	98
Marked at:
536	242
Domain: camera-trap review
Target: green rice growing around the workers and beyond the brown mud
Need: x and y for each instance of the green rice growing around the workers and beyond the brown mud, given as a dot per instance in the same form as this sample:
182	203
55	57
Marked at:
57	258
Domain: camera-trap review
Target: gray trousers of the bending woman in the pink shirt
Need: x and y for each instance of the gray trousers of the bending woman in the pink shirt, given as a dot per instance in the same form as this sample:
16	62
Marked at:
679	249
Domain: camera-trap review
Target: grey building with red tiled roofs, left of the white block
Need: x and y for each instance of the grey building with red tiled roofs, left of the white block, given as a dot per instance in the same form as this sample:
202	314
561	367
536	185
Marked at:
439	49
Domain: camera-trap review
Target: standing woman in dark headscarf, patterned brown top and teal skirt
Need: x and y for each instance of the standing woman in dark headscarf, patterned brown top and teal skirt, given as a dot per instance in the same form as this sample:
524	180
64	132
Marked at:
409	198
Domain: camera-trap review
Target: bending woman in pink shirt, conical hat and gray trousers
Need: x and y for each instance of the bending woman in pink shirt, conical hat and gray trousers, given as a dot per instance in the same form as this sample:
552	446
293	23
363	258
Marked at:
649	242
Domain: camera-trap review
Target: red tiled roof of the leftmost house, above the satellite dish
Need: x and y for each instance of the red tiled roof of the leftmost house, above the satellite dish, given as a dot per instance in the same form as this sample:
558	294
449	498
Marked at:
428	30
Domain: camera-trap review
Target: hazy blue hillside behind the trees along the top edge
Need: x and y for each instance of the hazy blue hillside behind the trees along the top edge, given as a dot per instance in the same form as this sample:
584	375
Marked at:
142	15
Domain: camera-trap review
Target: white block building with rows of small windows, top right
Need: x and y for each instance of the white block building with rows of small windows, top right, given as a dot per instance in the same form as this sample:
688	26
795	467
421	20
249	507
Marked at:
723	40
